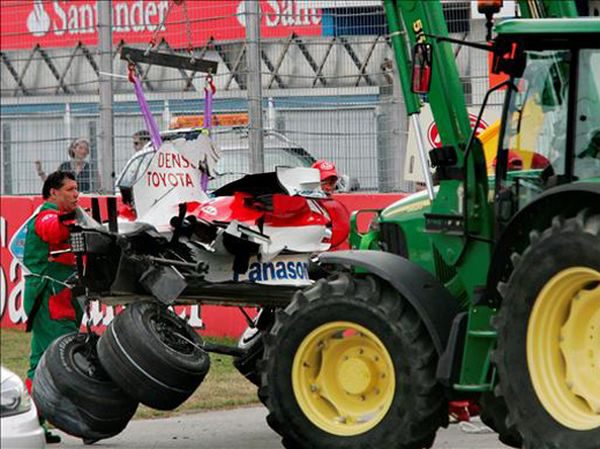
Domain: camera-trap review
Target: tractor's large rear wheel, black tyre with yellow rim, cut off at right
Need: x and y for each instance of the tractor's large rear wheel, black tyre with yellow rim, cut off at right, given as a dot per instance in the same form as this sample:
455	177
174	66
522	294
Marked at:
548	337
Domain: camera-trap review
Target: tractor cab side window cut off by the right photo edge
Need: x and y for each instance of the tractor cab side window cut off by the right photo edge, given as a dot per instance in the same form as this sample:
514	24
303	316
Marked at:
587	133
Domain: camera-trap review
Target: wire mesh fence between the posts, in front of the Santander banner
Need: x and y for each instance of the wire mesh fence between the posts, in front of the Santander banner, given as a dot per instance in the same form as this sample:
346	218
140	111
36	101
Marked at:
329	83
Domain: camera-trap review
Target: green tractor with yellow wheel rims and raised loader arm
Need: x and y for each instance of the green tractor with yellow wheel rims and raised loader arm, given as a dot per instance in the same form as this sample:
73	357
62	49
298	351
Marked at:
481	287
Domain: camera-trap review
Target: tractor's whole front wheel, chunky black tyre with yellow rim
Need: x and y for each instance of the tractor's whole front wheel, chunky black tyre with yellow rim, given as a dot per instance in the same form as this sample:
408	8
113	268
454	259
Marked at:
349	364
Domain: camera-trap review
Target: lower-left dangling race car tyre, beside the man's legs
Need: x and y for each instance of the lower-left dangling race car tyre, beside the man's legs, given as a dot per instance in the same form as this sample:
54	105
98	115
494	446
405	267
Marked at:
72	391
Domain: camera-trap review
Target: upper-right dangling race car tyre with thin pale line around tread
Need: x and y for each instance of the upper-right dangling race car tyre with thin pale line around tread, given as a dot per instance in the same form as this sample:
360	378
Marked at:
153	355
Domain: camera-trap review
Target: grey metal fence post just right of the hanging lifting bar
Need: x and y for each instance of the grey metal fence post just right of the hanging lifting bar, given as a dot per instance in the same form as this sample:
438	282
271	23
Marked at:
252	15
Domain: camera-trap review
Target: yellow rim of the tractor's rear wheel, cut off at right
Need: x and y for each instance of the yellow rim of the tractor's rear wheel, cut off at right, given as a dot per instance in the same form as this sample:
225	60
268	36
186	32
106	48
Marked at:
563	348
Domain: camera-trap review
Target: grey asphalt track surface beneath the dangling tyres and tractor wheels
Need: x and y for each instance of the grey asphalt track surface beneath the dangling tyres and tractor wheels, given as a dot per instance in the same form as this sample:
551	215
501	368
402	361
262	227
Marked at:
242	428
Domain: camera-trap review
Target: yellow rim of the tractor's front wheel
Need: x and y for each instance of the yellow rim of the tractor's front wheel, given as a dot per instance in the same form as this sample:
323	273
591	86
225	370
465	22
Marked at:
343	378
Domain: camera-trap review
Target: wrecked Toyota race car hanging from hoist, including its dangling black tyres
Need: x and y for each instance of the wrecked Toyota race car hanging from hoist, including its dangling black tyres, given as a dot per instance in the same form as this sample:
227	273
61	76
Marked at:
249	244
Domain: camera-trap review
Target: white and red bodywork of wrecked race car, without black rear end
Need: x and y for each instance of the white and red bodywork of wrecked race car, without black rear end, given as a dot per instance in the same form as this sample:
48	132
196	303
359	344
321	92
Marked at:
259	229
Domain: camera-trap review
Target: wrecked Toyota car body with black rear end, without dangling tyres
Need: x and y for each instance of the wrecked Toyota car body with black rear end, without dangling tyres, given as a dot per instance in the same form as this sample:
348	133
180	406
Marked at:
252	238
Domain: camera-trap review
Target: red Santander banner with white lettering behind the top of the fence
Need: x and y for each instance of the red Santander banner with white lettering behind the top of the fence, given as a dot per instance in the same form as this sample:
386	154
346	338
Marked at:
64	23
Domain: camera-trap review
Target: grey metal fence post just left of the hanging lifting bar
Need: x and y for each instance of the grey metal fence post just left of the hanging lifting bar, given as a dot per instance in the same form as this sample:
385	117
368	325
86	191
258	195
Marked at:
106	134
